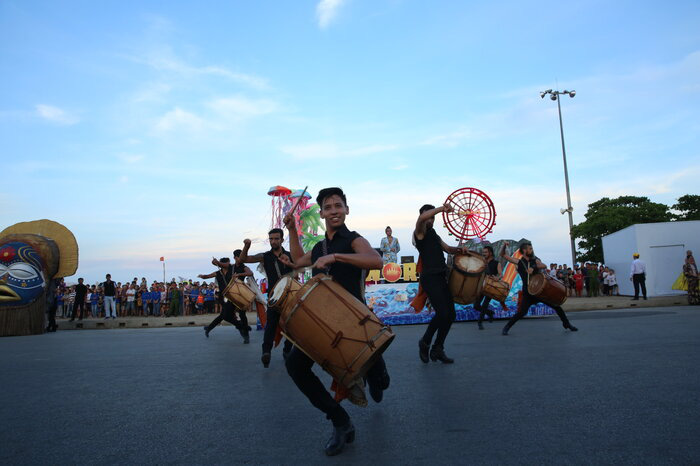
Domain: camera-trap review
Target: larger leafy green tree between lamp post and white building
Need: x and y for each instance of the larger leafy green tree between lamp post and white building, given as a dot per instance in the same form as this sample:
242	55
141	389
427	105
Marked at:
607	216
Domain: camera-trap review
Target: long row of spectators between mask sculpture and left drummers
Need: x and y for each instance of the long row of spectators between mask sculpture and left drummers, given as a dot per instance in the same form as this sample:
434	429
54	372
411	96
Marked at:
136	299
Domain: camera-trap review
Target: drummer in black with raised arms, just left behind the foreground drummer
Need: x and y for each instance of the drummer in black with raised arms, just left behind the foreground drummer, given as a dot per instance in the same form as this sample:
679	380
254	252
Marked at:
274	270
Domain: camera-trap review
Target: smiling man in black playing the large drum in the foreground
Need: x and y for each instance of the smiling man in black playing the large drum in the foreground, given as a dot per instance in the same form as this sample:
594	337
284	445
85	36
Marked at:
344	255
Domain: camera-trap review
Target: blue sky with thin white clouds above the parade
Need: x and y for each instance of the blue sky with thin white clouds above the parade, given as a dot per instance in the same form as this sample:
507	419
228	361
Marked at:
155	128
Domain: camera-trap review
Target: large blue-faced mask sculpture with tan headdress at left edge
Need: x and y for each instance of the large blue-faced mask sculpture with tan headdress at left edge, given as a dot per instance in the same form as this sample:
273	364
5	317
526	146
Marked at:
32	256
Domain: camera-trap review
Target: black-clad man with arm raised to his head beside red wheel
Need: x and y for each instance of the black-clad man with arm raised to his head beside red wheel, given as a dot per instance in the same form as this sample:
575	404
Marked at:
433	279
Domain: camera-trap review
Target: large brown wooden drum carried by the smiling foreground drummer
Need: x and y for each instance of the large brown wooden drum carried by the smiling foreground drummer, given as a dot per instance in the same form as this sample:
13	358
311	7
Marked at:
335	329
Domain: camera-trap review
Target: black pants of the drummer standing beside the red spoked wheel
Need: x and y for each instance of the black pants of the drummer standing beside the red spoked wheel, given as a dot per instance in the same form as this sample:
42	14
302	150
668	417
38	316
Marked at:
435	285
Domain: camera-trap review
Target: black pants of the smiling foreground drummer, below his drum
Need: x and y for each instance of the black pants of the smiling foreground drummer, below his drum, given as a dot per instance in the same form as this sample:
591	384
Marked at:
299	368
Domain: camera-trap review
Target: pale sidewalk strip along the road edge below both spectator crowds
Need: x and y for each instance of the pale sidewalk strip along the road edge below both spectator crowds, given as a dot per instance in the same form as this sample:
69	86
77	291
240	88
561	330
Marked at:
571	305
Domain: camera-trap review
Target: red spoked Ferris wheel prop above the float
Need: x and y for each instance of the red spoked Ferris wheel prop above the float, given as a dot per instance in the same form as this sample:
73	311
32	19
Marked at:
474	214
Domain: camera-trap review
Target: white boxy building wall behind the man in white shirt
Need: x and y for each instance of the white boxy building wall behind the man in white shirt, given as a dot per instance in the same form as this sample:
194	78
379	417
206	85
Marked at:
661	246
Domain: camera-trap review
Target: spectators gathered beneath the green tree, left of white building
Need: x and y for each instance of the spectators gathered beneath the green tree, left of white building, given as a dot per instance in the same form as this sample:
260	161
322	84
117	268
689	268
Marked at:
594	279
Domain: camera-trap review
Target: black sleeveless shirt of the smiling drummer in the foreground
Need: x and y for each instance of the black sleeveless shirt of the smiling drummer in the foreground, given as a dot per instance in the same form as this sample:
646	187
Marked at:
348	276
